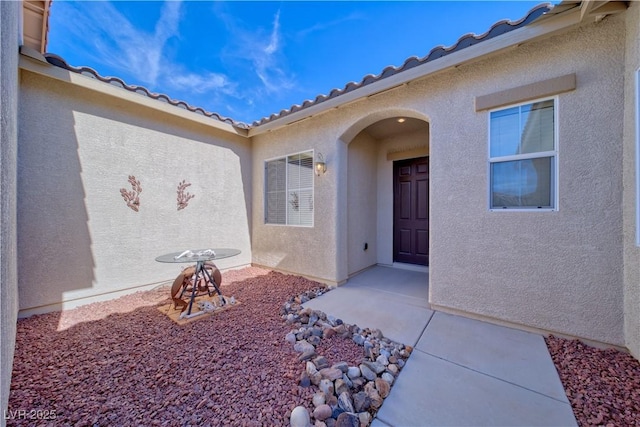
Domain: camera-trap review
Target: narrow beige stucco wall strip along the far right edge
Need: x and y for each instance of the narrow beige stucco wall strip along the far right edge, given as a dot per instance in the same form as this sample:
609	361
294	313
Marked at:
631	250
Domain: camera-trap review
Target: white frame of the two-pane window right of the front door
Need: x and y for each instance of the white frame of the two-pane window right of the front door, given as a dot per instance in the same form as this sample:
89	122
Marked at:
554	153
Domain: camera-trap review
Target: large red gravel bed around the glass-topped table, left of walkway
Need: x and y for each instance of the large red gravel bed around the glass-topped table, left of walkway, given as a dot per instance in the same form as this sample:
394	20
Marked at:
123	362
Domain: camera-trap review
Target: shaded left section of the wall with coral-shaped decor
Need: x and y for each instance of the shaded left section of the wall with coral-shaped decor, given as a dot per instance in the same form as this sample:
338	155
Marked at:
54	243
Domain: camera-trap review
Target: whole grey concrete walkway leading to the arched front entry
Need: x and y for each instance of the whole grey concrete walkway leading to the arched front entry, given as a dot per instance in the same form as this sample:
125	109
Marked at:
462	372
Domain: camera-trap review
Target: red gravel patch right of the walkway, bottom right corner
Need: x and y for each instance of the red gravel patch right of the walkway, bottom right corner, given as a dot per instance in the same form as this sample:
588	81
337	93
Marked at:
603	386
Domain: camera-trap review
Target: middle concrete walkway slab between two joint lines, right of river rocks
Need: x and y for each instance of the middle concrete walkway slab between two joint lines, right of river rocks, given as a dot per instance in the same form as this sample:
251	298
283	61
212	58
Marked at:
515	356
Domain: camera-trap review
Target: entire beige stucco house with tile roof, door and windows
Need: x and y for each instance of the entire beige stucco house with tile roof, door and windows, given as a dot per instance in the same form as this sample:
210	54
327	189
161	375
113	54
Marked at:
508	163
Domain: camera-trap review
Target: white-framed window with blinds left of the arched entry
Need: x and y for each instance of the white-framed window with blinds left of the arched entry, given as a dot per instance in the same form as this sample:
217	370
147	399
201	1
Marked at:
289	190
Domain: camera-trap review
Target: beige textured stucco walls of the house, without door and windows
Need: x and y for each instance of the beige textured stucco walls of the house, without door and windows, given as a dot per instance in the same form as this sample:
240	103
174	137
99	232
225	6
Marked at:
572	271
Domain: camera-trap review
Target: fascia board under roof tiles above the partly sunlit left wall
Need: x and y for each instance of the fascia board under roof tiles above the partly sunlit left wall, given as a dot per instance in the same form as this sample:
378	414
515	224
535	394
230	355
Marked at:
34	65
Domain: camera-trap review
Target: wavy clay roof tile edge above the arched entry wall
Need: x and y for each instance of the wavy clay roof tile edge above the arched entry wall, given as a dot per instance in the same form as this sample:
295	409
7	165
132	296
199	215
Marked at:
497	29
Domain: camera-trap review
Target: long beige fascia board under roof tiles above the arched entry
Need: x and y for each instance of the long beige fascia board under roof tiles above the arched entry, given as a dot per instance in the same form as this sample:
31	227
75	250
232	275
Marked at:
544	28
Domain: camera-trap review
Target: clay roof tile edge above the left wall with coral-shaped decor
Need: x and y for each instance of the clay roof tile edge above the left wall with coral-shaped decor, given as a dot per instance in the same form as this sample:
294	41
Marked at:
90	72
